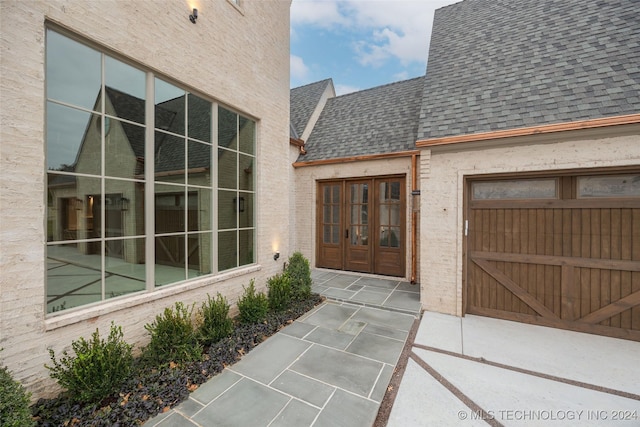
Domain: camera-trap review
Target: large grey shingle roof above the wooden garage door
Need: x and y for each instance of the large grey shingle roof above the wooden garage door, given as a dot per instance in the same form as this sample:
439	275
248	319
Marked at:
503	64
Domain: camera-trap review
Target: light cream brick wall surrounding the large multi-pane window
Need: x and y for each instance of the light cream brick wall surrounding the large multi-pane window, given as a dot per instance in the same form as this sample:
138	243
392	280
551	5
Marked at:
237	56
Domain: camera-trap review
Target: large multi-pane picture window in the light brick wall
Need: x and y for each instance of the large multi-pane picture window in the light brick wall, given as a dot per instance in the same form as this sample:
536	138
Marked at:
105	237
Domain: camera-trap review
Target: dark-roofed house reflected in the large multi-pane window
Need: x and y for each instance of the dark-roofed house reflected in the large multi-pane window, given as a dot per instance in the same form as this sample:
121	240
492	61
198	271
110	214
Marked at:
182	175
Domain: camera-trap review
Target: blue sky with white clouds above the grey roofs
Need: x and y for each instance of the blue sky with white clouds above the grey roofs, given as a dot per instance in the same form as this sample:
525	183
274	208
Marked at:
360	43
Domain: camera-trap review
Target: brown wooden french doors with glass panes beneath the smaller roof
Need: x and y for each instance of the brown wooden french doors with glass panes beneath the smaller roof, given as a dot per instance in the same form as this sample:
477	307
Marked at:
361	225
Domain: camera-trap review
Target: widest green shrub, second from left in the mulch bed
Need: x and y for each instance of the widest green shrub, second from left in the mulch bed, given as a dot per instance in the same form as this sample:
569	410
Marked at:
98	367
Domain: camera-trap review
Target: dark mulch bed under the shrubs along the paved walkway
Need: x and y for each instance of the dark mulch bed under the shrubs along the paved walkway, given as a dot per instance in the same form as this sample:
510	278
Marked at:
157	389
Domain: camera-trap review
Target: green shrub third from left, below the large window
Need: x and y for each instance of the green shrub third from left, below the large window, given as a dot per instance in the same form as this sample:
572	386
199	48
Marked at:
173	337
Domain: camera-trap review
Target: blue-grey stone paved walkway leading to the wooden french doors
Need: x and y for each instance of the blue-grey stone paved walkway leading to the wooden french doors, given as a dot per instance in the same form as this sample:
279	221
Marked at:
330	367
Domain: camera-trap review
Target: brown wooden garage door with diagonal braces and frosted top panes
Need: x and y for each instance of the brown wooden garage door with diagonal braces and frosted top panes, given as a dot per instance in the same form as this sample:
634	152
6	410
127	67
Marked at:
561	251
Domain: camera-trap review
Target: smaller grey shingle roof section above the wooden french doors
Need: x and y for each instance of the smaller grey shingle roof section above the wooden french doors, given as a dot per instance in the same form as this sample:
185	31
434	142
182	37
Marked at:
380	120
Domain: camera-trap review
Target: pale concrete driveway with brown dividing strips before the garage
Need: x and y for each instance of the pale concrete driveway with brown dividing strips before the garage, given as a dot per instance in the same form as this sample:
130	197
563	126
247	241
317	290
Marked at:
478	371
